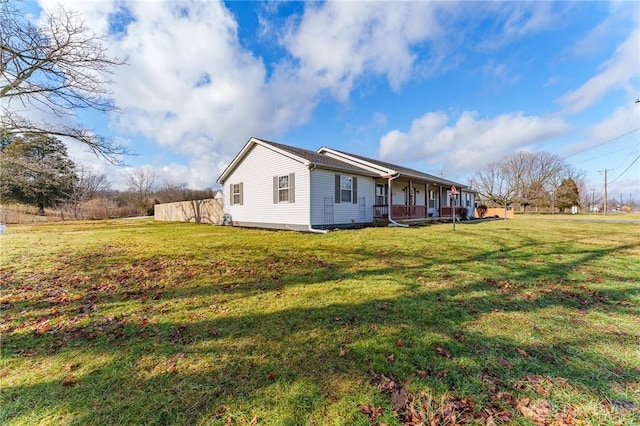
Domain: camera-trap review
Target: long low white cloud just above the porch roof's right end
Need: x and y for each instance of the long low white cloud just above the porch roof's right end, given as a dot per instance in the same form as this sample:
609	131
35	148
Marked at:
471	142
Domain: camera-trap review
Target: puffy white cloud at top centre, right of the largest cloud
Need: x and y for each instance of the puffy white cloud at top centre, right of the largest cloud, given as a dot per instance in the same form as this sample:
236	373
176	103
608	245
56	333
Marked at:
334	43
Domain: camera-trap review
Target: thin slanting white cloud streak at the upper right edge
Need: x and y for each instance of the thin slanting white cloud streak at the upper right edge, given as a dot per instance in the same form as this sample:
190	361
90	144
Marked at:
615	73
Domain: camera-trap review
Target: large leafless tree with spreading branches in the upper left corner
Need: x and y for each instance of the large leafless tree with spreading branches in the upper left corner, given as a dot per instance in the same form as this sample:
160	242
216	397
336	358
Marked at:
54	67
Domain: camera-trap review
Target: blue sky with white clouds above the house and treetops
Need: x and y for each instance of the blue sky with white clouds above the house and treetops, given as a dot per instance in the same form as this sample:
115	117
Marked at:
445	87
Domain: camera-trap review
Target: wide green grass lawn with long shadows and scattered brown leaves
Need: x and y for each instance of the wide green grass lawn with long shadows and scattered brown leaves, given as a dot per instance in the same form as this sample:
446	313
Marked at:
522	322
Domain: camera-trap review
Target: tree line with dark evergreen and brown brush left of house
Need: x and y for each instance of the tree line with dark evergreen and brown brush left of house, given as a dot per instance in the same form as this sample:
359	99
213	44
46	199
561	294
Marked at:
37	171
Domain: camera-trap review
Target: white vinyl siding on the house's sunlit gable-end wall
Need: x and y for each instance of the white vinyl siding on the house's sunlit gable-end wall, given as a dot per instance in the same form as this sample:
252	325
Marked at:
256	172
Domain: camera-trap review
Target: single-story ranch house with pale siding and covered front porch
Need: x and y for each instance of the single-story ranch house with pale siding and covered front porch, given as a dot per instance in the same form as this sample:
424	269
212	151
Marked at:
271	185
